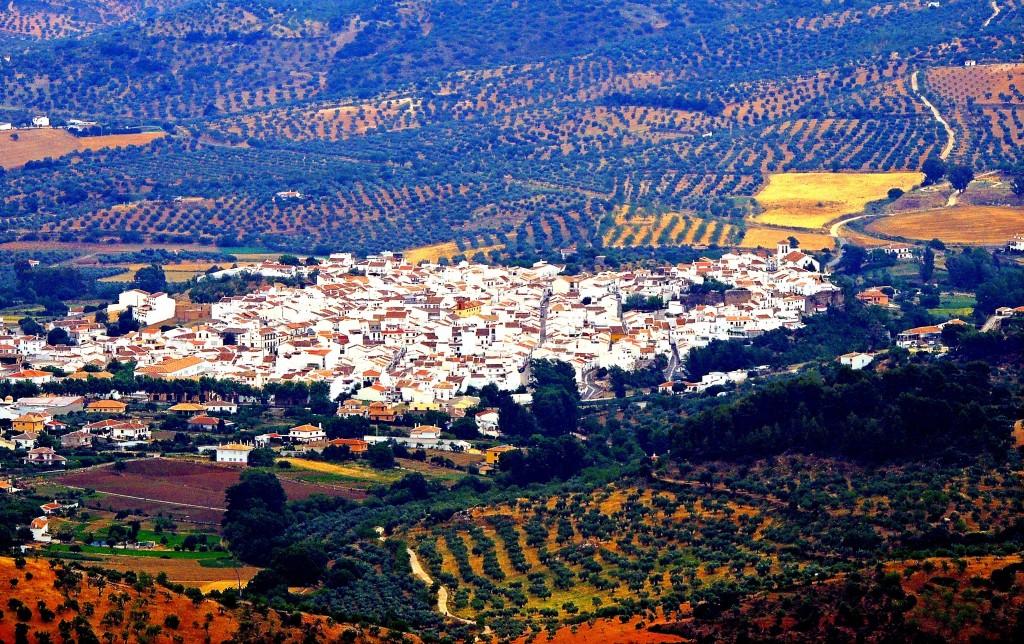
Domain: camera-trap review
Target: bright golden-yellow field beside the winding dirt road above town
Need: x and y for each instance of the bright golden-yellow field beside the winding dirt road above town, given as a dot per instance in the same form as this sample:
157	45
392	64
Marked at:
809	200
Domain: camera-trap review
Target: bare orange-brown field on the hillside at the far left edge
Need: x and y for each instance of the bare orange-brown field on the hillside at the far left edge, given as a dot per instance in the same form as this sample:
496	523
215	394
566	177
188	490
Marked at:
38	145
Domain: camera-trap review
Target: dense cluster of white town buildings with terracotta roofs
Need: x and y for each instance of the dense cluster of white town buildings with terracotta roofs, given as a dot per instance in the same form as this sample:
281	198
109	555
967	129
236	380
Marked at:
383	331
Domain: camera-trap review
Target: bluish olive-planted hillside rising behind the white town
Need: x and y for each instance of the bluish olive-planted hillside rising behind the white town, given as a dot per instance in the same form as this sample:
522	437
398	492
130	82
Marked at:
496	126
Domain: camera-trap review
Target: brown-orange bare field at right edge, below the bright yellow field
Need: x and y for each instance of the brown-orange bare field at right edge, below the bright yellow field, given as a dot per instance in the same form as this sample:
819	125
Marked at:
961	225
